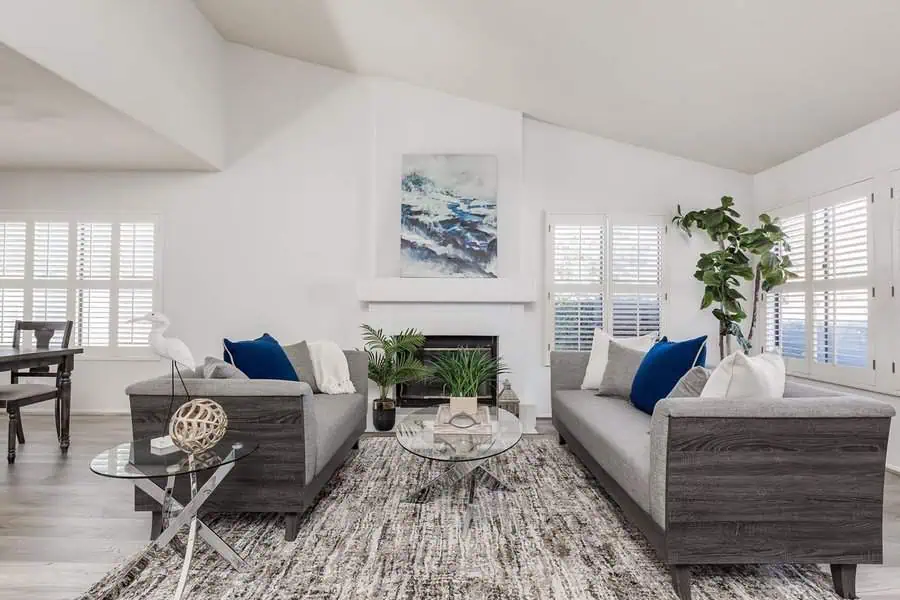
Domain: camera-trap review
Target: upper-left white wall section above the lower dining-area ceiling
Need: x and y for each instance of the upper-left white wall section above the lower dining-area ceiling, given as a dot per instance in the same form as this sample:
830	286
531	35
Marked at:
158	62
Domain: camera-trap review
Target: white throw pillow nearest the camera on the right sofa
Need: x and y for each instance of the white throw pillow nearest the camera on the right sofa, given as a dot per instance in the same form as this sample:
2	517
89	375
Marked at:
742	376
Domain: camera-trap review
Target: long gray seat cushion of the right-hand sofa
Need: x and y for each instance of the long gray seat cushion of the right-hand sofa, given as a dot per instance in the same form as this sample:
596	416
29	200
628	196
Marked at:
616	434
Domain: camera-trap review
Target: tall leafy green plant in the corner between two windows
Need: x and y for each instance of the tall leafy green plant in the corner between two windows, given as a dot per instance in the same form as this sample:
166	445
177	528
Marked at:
742	254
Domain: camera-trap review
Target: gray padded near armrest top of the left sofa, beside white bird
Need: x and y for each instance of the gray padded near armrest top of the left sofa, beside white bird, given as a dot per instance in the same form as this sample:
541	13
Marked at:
162	386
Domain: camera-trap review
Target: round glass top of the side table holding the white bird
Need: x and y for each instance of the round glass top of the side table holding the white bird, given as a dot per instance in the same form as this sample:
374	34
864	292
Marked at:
135	460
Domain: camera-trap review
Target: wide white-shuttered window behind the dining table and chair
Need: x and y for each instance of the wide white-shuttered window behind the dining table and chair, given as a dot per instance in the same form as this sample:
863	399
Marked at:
100	273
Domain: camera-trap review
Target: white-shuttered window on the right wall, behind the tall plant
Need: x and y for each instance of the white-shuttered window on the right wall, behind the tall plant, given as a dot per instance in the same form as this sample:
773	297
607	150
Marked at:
820	321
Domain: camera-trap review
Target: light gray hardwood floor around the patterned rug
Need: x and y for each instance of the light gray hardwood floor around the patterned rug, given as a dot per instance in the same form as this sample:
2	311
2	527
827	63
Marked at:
62	527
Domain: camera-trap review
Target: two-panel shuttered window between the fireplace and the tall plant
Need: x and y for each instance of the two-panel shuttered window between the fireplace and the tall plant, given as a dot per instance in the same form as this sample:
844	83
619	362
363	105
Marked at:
602	272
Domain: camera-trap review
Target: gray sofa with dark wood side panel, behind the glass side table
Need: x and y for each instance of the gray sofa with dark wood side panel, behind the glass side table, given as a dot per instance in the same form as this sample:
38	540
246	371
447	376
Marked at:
303	438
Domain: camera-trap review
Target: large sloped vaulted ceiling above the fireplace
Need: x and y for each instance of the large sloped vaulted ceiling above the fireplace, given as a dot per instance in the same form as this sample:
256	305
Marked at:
744	84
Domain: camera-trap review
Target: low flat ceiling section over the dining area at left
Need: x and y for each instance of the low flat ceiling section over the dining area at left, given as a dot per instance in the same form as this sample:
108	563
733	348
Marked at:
46	122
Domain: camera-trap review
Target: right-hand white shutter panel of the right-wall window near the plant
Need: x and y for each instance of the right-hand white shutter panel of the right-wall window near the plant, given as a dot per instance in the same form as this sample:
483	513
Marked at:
840	292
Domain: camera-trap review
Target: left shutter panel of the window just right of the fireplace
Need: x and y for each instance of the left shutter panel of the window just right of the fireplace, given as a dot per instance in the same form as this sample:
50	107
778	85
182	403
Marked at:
577	282
